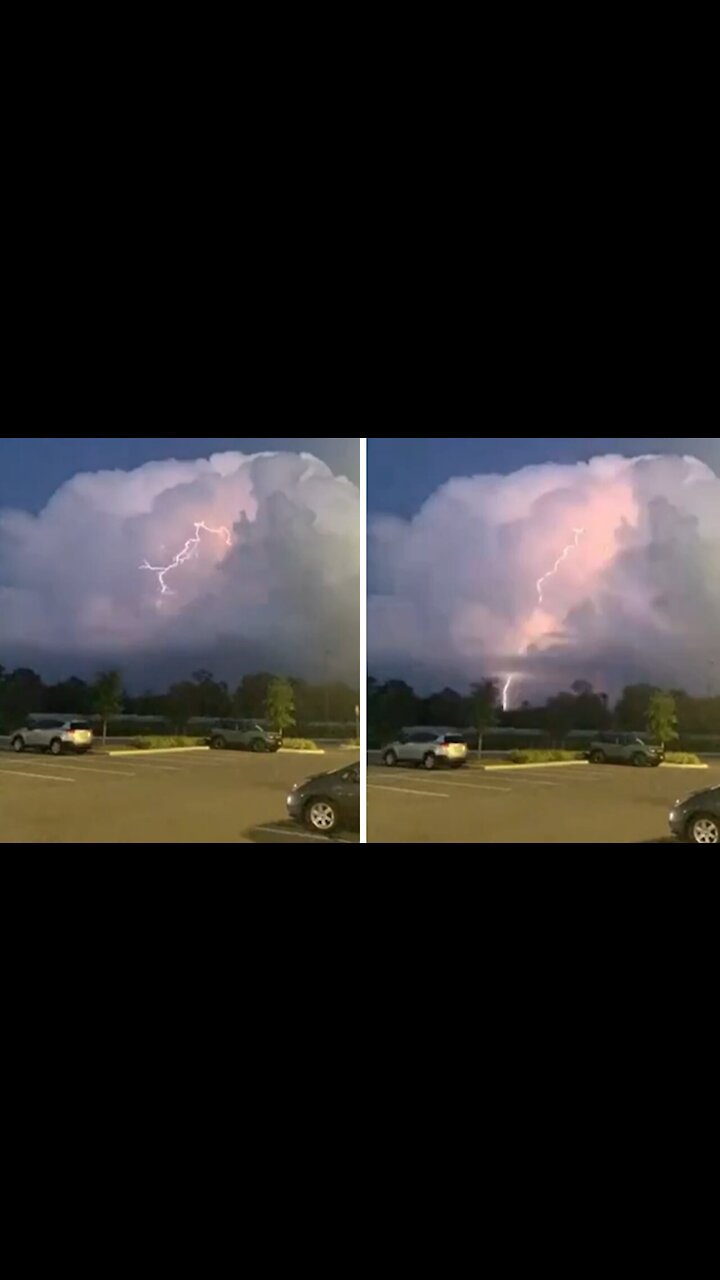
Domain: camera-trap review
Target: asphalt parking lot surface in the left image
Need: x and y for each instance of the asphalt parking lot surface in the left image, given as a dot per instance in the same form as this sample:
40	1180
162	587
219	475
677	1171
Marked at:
189	798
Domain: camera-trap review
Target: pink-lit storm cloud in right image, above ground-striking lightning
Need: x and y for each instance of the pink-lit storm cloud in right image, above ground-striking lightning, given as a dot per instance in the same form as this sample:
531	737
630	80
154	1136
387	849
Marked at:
628	551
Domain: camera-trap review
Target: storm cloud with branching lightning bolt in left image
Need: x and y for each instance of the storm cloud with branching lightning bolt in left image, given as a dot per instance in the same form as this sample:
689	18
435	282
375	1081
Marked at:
277	591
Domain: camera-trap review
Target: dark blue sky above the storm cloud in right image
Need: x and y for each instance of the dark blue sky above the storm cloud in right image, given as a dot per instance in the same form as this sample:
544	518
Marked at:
404	473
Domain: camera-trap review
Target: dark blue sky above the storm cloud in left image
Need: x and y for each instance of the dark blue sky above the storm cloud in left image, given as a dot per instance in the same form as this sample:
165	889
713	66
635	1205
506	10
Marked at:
34	468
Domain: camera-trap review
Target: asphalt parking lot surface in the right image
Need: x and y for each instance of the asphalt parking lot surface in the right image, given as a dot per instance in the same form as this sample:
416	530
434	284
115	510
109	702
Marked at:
584	804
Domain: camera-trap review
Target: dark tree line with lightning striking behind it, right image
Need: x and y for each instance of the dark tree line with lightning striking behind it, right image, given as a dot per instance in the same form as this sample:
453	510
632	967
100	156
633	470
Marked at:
668	715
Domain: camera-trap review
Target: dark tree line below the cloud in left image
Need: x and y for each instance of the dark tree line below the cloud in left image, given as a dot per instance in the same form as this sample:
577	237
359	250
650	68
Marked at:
286	702
